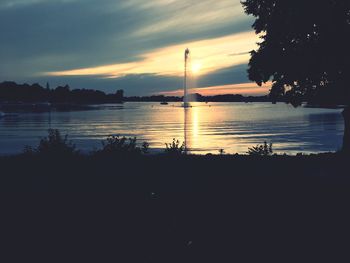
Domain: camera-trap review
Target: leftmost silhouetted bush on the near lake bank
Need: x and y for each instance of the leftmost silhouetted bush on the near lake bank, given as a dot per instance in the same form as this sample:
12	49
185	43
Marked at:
53	144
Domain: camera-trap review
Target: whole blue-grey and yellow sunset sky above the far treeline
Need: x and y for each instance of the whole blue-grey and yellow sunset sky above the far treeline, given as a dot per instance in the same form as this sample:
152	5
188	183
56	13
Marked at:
134	45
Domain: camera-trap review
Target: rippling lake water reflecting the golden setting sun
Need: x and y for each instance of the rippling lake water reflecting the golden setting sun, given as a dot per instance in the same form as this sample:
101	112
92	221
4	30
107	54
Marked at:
208	128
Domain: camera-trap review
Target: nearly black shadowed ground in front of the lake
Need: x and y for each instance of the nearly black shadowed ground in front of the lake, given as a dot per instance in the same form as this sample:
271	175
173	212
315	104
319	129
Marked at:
171	209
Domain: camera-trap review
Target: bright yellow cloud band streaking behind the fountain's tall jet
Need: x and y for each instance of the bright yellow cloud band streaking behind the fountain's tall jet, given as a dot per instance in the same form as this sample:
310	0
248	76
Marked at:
210	54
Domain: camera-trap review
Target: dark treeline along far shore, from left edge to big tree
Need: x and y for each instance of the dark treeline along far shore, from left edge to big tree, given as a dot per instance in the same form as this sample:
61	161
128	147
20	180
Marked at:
13	92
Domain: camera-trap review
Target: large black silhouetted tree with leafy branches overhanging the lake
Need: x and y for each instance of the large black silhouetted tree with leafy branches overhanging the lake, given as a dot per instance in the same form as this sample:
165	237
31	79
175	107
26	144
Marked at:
304	51
